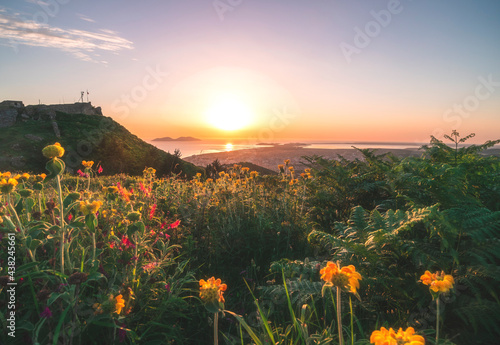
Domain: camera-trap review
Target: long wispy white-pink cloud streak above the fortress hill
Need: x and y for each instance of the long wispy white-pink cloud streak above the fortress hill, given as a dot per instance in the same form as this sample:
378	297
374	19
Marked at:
82	44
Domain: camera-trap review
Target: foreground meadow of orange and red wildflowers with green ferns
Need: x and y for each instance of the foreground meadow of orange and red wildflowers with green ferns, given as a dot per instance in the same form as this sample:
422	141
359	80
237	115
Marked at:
379	251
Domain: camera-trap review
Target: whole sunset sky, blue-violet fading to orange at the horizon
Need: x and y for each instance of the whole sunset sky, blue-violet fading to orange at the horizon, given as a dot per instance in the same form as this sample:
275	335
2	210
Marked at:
328	70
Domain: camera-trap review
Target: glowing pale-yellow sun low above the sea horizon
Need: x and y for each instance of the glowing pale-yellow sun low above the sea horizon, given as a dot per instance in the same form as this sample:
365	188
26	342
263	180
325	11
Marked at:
229	113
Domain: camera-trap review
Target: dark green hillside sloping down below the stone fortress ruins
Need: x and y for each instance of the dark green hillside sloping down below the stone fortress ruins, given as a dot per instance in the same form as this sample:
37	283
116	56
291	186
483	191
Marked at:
85	137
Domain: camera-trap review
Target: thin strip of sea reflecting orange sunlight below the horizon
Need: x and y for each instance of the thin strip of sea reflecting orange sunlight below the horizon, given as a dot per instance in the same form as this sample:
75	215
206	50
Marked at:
190	148
